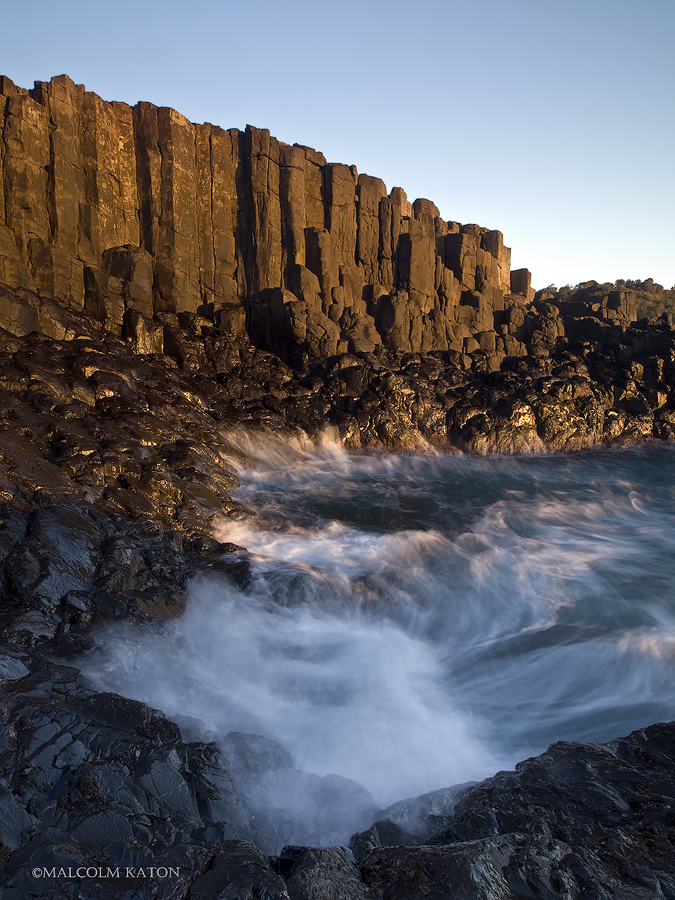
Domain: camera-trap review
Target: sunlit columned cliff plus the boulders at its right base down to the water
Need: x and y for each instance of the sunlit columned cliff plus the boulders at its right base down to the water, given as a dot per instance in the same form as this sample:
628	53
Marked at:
212	247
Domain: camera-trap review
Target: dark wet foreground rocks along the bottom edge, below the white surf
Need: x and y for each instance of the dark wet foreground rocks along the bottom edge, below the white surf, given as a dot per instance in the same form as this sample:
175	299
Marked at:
111	782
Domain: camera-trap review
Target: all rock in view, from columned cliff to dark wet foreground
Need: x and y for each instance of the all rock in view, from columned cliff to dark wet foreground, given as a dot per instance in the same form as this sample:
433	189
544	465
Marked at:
164	286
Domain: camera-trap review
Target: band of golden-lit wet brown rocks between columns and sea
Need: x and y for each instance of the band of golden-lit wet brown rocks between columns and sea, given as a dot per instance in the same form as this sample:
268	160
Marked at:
571	397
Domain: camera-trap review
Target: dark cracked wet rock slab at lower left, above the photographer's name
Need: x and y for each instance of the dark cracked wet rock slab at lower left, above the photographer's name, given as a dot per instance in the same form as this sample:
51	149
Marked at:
98	770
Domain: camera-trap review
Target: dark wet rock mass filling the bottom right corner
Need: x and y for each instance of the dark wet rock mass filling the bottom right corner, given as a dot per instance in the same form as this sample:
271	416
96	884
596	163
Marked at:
578	821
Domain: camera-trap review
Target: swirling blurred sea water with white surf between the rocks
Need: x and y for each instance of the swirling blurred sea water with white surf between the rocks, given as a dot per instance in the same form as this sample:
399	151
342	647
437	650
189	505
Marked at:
416	621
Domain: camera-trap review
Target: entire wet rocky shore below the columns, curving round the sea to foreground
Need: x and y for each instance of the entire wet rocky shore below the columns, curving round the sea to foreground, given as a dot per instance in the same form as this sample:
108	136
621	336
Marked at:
112	472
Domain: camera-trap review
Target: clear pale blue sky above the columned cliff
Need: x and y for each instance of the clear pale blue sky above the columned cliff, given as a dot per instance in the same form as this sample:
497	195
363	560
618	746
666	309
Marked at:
551	120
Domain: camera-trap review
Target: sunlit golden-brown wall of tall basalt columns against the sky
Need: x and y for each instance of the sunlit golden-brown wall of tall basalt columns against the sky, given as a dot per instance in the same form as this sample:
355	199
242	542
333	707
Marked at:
113	209
